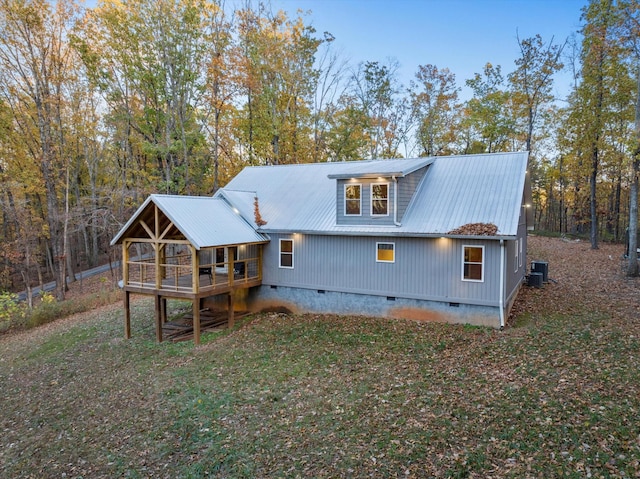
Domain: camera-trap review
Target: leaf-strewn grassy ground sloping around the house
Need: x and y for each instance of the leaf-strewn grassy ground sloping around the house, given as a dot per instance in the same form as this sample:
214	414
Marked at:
557	394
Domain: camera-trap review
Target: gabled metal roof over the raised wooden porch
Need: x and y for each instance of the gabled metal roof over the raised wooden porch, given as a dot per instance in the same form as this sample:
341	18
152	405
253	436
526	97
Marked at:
204	221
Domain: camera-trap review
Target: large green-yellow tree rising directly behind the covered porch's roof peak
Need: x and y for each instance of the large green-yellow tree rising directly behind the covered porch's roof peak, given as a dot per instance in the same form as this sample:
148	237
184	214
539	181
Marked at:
148	57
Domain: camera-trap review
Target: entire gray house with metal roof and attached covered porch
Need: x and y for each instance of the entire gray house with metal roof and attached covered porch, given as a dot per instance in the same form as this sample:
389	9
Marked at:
438	238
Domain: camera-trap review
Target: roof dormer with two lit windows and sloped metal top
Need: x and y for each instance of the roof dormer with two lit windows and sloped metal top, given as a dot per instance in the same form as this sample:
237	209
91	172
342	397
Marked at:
377	193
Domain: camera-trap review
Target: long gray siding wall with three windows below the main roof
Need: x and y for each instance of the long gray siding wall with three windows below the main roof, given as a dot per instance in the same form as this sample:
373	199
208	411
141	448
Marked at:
424	268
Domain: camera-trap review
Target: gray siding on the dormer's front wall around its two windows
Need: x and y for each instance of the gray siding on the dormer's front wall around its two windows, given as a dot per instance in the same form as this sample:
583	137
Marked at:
365	217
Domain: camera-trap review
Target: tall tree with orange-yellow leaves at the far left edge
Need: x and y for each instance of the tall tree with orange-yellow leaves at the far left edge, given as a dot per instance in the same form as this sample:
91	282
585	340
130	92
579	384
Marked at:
36	63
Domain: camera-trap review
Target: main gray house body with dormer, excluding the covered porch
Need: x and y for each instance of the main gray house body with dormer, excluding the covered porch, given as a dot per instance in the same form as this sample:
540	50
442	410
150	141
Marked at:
390	238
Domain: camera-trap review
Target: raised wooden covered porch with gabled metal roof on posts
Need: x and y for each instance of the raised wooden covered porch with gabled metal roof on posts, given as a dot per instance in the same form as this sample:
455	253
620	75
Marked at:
187	248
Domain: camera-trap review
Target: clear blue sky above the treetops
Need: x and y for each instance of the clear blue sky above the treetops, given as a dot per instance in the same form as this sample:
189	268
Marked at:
462	35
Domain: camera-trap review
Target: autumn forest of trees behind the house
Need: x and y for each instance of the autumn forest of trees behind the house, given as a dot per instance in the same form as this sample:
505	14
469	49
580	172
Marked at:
102	106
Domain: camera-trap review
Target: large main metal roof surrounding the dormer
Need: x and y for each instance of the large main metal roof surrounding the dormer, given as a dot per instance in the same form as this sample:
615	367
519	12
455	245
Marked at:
455	191
